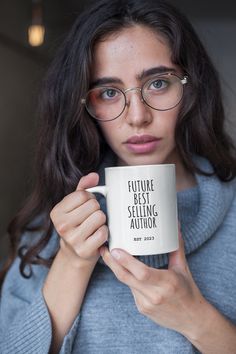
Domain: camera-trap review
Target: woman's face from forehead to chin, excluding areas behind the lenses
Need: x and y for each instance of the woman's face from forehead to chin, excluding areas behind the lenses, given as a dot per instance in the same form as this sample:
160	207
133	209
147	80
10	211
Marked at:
141	135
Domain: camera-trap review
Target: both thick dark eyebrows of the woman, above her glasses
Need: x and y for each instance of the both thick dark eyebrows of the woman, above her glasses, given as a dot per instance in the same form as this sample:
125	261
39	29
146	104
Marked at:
144	74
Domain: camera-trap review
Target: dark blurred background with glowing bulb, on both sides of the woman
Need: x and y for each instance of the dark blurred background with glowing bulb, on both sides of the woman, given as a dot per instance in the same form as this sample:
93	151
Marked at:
23	65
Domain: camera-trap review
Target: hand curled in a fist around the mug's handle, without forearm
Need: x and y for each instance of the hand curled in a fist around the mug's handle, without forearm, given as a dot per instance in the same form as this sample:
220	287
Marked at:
80	223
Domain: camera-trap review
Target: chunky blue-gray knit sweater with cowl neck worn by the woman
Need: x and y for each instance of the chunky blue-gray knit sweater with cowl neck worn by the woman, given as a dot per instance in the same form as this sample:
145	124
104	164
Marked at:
109	322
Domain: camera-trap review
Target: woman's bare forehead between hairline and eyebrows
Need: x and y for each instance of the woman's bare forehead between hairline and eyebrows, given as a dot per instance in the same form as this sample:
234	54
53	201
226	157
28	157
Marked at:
129	52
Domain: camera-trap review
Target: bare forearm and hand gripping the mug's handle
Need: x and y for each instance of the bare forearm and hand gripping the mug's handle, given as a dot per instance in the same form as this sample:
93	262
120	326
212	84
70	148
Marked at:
81	226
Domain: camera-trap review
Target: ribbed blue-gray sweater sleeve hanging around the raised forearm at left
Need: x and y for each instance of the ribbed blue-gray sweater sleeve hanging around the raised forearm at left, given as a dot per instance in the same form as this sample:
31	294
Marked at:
25	324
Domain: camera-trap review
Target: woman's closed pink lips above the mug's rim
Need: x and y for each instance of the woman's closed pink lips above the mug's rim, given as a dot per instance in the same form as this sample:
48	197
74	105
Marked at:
142	144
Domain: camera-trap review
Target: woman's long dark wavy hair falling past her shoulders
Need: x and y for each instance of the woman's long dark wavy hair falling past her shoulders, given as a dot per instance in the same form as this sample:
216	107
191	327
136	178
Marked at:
70	143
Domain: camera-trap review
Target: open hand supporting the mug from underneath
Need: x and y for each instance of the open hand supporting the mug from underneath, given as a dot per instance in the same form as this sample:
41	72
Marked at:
168	297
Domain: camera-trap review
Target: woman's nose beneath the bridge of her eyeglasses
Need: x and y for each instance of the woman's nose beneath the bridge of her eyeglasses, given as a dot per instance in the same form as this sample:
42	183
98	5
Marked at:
137	113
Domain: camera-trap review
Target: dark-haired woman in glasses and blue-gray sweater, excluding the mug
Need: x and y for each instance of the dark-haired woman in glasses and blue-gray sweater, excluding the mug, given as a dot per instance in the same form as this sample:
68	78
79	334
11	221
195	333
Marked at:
59	295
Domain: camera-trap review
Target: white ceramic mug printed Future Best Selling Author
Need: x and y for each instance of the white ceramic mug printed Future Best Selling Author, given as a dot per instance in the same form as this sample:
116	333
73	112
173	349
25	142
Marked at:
141	208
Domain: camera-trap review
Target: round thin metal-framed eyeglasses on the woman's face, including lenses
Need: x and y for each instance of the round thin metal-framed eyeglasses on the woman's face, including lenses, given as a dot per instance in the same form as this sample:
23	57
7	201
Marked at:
162	92
